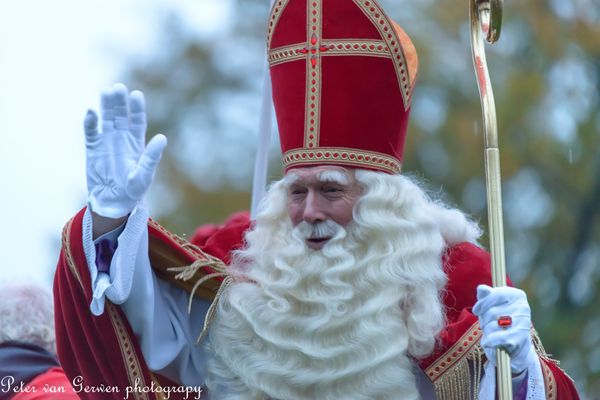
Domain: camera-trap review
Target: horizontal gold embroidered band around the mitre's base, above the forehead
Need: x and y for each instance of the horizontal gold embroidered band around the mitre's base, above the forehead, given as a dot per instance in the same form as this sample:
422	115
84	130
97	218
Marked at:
340	155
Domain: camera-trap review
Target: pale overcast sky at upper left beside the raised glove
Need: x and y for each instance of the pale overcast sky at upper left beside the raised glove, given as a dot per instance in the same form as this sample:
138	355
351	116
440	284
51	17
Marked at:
55	57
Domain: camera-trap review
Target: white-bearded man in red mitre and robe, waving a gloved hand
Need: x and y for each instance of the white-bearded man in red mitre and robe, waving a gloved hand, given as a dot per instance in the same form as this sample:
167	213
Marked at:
350	284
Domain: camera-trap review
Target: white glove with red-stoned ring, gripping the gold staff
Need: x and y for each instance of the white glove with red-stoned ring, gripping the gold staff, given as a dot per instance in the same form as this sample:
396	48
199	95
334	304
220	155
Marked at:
493	303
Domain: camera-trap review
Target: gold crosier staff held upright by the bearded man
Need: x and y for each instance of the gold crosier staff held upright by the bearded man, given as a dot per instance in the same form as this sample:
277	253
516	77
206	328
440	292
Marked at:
486	17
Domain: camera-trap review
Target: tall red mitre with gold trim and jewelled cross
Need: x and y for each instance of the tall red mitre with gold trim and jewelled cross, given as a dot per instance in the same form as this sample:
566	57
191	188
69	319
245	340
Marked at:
343	75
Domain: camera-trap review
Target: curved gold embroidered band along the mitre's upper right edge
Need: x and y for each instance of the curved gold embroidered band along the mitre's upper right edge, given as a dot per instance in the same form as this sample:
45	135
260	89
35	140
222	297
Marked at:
375	13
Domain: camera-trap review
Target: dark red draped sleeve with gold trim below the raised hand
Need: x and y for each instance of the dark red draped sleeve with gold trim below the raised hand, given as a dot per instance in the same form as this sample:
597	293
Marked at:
98	354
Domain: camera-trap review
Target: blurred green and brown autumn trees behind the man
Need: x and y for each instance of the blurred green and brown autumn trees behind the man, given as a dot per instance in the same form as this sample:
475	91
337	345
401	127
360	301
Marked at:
204	91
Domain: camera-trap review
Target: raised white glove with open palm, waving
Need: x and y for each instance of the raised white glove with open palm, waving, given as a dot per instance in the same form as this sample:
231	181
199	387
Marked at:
119	166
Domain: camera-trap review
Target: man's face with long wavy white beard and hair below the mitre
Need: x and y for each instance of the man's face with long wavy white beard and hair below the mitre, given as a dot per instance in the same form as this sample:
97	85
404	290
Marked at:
338	290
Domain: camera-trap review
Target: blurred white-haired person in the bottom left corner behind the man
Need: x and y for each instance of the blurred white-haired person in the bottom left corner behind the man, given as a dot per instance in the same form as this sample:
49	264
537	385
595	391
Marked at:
29	368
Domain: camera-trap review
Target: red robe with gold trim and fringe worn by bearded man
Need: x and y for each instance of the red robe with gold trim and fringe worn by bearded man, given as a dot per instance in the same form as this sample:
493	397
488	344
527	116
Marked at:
104	352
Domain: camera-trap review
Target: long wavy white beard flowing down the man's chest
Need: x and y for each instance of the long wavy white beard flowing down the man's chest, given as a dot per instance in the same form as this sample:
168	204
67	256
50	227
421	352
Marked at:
340	323
